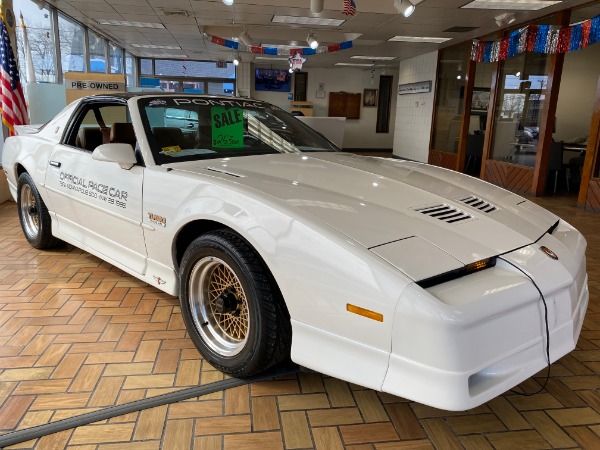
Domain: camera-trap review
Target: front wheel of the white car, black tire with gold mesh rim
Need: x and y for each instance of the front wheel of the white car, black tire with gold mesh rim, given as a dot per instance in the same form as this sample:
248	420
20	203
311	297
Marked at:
231	306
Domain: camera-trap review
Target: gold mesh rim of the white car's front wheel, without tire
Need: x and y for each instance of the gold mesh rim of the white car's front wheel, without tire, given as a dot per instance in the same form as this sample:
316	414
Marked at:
219	306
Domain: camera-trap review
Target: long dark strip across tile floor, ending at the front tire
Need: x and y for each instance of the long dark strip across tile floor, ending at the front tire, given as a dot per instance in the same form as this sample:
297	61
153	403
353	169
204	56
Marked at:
16	437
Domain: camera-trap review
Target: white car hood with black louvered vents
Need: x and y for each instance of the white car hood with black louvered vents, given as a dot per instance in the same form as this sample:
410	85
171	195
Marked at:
376	201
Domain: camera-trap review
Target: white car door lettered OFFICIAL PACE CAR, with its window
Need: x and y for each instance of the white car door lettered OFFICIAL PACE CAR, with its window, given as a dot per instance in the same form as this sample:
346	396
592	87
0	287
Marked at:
98	204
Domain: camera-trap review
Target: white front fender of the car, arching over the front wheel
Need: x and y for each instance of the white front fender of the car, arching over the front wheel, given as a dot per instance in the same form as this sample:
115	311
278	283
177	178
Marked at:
318	270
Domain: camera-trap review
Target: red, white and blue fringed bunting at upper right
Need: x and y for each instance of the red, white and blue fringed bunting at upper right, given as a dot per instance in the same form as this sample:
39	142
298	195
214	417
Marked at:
550	39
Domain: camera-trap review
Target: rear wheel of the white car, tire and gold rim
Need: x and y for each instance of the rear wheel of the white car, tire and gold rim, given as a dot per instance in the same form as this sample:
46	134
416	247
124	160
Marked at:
33	215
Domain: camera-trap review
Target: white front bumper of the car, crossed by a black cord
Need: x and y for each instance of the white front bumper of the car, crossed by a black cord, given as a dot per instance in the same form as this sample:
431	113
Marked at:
462	343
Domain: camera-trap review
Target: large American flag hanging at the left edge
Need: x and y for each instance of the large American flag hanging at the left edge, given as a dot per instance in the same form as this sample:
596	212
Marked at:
12	102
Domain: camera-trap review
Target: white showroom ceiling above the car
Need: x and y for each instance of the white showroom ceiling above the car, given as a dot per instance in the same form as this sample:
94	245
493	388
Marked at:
174	28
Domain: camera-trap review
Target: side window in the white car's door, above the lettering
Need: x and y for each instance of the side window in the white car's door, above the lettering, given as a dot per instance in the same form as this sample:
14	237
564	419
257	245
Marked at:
102	124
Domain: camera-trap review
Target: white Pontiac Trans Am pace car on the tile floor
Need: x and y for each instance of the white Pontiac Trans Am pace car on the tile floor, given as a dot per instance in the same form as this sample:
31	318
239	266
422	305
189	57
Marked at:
394	275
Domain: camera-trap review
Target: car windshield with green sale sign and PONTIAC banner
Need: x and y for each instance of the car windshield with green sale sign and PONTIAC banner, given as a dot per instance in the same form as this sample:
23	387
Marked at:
194	128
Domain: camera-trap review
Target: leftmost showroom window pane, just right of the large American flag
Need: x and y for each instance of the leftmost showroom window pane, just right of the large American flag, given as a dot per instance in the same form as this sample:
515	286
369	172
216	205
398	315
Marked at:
41	42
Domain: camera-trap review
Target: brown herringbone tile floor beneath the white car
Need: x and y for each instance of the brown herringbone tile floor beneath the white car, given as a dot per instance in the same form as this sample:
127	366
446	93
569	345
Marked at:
77	335
